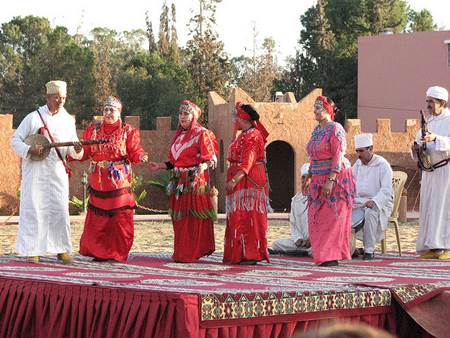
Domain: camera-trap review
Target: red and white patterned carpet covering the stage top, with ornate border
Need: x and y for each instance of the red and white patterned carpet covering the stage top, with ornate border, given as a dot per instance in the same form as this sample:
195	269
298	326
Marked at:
286	286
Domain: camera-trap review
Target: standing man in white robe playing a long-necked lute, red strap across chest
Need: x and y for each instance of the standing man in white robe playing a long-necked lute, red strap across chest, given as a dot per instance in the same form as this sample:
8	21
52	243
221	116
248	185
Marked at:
44	192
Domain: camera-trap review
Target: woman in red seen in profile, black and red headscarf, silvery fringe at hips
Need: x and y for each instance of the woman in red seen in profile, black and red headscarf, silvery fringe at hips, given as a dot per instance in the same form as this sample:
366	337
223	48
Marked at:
247	192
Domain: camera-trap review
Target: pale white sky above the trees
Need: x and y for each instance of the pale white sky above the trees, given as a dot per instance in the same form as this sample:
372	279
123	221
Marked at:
236	19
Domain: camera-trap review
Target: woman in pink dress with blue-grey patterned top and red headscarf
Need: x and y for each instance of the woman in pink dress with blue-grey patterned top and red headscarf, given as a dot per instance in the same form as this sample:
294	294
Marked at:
330	188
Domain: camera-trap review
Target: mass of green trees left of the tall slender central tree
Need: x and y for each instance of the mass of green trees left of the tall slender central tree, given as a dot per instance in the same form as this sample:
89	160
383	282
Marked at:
109	63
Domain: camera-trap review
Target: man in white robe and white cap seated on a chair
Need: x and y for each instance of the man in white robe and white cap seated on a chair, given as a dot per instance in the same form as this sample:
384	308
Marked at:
374	193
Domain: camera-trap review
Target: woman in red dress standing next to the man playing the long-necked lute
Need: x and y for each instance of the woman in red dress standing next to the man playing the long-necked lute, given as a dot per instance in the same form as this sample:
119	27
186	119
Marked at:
109	229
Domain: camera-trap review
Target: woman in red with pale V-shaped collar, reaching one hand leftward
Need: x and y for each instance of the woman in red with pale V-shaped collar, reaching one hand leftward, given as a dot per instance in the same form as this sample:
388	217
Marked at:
192	151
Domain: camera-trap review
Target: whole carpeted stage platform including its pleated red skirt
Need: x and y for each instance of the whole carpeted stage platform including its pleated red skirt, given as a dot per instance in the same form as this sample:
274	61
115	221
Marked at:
151	296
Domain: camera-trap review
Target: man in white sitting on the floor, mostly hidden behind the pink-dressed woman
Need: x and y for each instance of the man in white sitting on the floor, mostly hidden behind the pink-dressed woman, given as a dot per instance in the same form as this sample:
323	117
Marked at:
298	244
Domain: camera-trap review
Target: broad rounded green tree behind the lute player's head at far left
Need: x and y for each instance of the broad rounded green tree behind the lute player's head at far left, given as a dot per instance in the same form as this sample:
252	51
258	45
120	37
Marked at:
32	53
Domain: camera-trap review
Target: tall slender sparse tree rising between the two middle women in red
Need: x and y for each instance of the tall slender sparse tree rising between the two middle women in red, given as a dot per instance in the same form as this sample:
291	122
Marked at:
207	61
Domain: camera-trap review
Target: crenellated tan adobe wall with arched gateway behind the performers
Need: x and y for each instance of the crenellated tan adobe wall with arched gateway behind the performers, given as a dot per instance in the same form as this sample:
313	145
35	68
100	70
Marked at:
290	124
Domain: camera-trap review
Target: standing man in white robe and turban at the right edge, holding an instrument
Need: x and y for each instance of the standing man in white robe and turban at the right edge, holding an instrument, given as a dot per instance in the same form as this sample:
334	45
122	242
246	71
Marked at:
434	221
